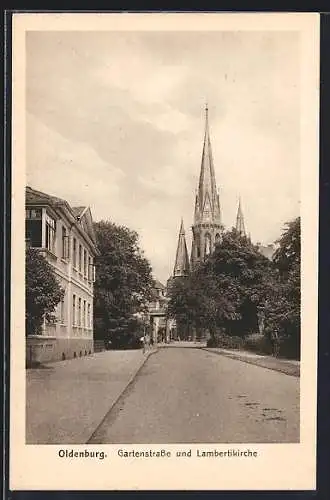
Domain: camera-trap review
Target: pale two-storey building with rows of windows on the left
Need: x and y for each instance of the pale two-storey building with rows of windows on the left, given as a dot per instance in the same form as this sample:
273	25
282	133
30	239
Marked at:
65	236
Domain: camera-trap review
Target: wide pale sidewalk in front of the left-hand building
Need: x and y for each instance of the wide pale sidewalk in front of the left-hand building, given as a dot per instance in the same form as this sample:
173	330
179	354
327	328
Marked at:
67	400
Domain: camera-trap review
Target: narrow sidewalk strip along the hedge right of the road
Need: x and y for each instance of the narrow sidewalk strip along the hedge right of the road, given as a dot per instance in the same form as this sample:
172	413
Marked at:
287	366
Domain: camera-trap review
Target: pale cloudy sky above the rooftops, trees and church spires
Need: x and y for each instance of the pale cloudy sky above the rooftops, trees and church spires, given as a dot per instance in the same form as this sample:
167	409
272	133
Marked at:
115	121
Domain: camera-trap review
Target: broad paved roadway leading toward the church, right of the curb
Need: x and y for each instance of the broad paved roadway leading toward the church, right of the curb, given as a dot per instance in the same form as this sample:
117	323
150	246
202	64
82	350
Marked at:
195	396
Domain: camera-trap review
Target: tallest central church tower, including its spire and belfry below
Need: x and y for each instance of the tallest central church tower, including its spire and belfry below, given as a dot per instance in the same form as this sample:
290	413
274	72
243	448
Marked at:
207	225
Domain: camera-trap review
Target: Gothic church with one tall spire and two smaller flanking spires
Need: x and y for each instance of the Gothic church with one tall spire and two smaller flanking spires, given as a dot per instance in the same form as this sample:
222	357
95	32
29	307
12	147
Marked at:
207	227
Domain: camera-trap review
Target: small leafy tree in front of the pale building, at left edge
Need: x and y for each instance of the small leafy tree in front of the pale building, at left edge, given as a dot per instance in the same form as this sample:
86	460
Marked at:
42	291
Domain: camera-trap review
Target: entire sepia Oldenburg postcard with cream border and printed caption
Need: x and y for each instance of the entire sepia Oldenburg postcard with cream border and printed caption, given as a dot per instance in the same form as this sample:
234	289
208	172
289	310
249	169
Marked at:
164	251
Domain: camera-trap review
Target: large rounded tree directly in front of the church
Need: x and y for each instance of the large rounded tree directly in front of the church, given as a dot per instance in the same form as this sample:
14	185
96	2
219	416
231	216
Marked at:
223	293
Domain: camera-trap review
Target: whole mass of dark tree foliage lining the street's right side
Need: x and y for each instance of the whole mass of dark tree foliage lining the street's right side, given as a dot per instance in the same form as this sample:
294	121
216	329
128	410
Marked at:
236	283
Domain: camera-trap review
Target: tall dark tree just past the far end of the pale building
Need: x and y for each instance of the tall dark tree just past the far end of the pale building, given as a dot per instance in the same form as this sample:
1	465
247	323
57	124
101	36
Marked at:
123	281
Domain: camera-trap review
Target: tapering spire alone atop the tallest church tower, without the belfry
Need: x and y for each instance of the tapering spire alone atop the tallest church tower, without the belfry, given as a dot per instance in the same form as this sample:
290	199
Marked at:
207	199
